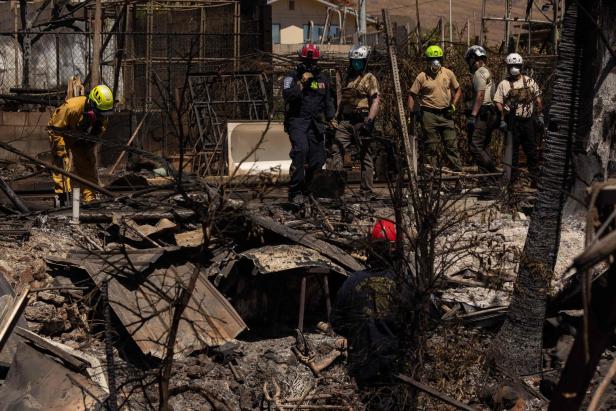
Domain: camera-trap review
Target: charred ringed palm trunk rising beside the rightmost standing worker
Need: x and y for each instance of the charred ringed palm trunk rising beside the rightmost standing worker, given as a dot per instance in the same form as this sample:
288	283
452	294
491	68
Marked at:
518	345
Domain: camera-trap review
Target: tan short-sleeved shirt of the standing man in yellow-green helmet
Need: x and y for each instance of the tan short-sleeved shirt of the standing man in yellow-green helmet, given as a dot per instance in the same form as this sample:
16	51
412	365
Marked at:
435	91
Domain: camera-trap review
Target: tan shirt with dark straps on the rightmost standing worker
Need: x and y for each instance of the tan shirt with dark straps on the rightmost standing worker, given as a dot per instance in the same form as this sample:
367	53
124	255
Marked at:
525	92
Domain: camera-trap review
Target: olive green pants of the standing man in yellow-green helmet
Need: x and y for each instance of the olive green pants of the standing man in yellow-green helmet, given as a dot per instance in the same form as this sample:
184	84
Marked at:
439	135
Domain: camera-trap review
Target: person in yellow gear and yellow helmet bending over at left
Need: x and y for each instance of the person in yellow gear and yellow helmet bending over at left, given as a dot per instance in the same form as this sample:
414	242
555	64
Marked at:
78	115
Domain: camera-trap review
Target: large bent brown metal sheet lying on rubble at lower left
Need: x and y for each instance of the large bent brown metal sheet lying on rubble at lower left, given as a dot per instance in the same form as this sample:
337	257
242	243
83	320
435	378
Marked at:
143	292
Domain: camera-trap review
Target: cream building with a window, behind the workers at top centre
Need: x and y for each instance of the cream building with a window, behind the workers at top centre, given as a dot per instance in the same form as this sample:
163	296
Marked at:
295	22
